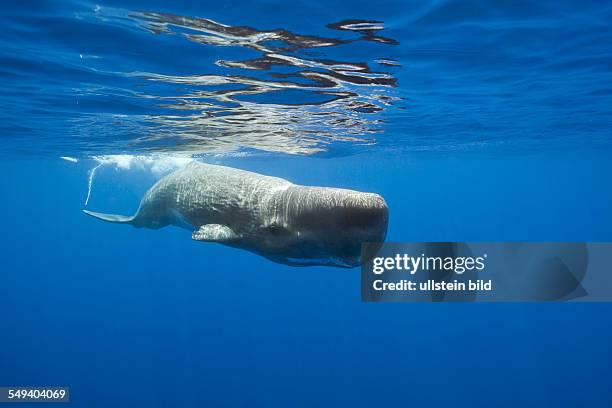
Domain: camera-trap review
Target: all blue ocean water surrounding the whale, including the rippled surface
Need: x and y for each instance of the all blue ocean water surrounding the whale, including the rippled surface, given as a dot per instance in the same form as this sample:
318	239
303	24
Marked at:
475	120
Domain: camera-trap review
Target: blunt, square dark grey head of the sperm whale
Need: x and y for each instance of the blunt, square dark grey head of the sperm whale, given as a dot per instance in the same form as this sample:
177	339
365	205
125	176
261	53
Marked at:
324	226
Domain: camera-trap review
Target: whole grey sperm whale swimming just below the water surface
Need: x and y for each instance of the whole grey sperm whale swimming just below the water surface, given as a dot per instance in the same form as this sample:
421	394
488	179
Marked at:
286	223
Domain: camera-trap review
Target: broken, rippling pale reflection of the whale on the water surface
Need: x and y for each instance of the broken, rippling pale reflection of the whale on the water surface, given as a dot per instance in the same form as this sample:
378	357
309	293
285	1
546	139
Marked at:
283	100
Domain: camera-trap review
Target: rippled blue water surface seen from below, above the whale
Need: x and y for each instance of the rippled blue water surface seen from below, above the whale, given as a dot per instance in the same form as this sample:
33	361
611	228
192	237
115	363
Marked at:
85	78
